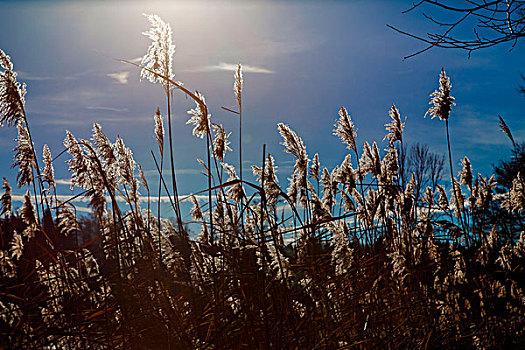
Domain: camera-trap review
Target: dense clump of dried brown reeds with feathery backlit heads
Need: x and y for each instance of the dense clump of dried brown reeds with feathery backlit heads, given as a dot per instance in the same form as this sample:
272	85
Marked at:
347	257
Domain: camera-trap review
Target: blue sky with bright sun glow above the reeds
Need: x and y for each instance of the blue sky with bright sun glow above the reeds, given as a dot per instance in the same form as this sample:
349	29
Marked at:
303	61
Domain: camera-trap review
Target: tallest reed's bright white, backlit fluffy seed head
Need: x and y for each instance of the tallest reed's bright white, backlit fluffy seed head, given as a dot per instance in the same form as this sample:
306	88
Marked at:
159	57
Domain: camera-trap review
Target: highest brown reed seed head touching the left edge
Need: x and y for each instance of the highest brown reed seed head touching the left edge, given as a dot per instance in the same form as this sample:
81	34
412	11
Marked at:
12	94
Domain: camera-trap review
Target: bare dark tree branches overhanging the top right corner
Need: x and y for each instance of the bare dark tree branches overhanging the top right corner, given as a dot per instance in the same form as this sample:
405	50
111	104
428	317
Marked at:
492	22
